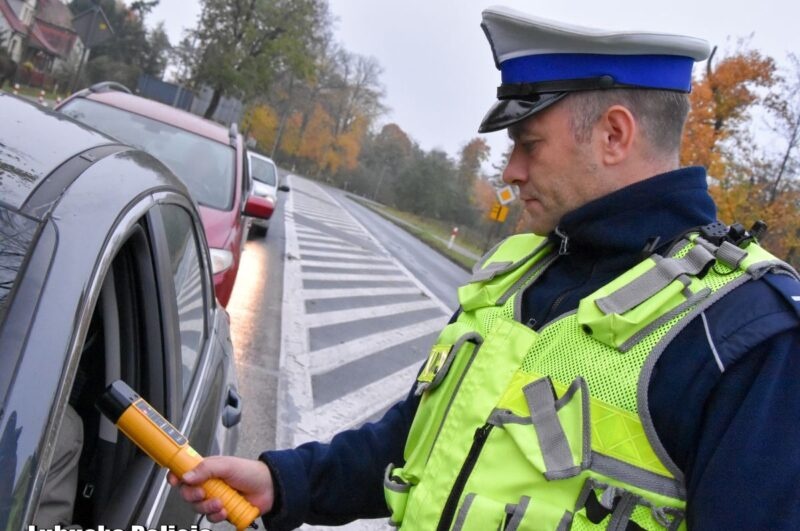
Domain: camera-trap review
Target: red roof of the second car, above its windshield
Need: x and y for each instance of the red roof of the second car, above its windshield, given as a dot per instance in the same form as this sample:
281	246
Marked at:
162	113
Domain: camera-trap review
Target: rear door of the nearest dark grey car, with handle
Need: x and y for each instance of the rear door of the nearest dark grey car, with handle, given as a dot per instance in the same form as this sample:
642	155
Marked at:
202	381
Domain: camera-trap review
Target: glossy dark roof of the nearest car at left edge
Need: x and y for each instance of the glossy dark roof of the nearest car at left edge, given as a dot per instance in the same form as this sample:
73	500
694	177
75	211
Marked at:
24	159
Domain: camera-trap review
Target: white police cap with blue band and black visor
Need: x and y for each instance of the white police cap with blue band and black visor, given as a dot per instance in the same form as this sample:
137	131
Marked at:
541	61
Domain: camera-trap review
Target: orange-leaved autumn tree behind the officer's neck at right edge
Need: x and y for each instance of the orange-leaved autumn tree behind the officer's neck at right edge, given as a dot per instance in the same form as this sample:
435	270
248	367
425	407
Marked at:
749	180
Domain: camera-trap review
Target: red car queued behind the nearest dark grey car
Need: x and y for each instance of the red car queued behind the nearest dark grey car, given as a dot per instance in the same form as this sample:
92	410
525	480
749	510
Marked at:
207	157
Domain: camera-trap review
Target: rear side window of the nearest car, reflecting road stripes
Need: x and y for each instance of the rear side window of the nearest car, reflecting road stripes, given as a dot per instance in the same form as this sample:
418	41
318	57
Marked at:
188	274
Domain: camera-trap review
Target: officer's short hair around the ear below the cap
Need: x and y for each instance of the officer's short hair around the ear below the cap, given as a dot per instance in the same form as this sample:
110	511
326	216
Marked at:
660	113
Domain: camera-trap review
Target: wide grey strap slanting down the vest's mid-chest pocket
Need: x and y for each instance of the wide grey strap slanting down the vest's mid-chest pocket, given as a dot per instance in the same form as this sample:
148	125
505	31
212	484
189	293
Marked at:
552	440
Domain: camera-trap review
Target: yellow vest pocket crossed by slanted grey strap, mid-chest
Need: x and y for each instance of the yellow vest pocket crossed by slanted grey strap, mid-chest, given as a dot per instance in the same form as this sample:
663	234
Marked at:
559	446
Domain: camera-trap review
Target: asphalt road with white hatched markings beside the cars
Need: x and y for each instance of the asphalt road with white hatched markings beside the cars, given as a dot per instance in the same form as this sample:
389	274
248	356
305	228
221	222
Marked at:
331	316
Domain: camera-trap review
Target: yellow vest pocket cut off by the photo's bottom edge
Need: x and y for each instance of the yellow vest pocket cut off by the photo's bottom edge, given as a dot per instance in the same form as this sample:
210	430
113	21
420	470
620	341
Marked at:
481	513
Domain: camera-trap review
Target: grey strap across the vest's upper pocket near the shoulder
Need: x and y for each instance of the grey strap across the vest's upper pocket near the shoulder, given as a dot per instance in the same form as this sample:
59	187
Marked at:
648	284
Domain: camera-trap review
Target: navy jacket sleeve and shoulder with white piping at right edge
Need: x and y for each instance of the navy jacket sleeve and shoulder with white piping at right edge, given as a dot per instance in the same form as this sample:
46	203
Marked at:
735	373
